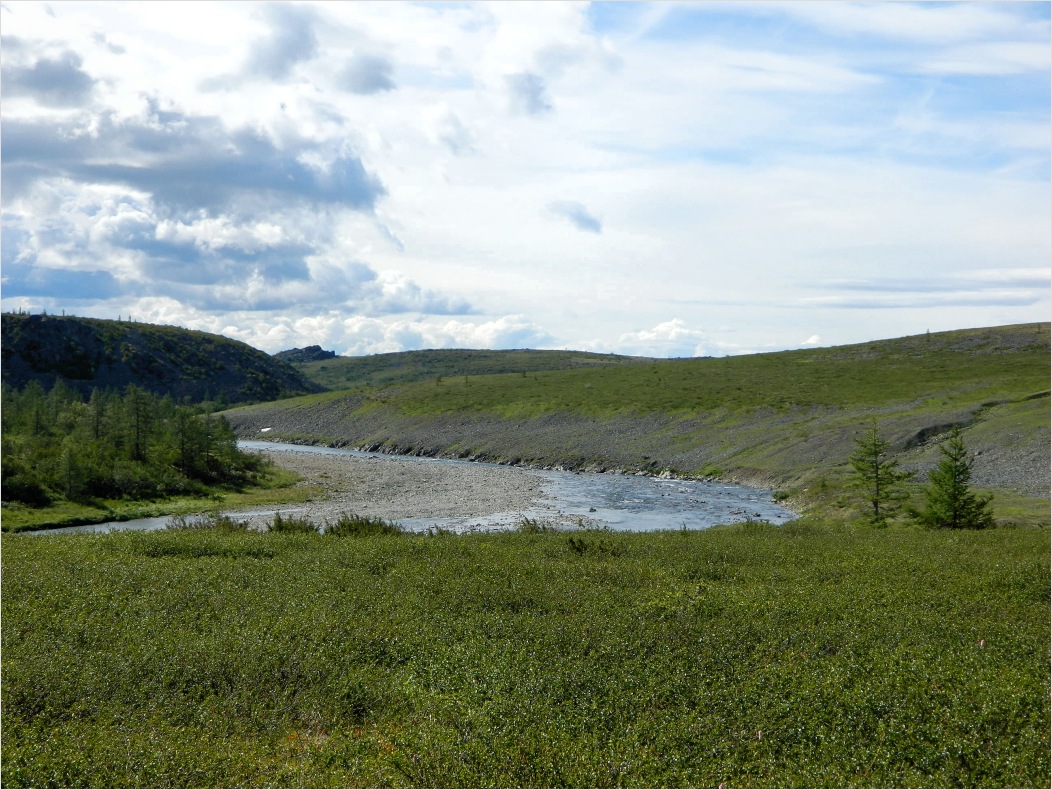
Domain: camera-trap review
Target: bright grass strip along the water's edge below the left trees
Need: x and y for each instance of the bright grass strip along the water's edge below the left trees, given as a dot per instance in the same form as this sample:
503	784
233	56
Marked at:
280	487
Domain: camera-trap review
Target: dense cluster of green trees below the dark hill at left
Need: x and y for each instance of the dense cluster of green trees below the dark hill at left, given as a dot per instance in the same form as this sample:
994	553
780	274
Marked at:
134	445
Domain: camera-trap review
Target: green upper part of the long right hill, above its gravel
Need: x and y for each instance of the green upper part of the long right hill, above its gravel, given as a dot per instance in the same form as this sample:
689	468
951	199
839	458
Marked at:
959	368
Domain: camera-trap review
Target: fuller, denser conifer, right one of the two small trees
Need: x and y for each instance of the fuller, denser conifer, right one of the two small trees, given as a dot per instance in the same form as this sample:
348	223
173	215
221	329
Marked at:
952	504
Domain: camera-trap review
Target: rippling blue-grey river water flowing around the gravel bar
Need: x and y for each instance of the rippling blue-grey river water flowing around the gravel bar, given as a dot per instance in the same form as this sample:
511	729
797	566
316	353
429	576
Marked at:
621	502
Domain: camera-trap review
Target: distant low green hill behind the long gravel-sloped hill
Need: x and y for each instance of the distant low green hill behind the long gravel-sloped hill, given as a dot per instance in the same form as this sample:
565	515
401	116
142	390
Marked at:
387	370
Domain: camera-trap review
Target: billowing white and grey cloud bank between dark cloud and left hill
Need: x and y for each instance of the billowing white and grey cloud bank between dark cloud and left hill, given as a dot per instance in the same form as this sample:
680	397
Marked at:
117	245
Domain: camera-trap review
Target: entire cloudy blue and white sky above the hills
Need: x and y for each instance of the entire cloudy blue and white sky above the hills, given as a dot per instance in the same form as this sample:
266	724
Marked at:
658	179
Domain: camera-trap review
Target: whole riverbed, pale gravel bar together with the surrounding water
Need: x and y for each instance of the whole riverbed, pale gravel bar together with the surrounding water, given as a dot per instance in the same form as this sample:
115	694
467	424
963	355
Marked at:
461	496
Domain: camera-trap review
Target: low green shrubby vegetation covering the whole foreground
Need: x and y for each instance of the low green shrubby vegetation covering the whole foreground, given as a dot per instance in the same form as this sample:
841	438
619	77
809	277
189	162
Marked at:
814	655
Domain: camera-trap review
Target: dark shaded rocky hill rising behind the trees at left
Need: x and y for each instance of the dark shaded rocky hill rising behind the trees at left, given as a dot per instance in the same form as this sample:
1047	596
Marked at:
87	354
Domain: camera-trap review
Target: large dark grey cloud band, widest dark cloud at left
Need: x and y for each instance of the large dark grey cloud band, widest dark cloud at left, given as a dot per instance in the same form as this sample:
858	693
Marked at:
186	163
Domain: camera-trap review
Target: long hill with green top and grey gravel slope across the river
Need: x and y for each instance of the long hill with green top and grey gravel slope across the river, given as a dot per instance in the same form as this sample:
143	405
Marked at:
786	419
